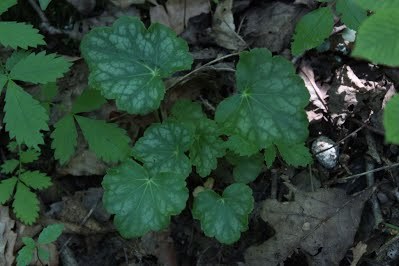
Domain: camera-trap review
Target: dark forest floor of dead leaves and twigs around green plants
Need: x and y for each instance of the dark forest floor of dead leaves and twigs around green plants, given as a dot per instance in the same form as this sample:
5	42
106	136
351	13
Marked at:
356	208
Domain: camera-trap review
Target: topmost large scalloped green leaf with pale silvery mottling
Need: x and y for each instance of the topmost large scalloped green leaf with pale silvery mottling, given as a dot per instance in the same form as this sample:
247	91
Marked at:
128	62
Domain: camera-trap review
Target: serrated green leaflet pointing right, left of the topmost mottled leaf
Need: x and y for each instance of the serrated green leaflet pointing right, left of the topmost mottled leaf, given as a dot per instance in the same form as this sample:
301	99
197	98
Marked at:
40	68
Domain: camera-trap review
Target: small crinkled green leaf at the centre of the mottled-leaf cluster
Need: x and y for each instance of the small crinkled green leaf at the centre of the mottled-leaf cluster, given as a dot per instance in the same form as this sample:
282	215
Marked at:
207	147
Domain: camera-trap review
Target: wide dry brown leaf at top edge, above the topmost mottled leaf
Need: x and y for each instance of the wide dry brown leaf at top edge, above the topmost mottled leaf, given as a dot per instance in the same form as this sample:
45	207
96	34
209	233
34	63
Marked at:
176	13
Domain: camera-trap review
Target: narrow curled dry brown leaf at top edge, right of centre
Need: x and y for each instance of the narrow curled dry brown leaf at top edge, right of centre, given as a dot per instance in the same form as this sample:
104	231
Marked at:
224	29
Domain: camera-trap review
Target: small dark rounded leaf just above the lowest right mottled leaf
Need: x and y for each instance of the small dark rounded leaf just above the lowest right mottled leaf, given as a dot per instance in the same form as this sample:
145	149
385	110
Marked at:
247	169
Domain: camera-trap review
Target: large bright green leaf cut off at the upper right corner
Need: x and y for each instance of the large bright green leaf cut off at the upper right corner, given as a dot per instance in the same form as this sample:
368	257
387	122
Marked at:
377	38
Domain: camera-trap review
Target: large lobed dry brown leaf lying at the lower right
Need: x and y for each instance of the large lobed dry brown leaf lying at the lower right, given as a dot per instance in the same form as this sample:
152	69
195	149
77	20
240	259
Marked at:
321	224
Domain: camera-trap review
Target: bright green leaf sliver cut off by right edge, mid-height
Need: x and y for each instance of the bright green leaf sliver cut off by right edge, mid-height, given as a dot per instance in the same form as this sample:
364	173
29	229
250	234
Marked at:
391	120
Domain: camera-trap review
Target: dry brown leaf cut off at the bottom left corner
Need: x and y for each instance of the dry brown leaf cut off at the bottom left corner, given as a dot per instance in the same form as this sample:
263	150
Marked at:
7	237
